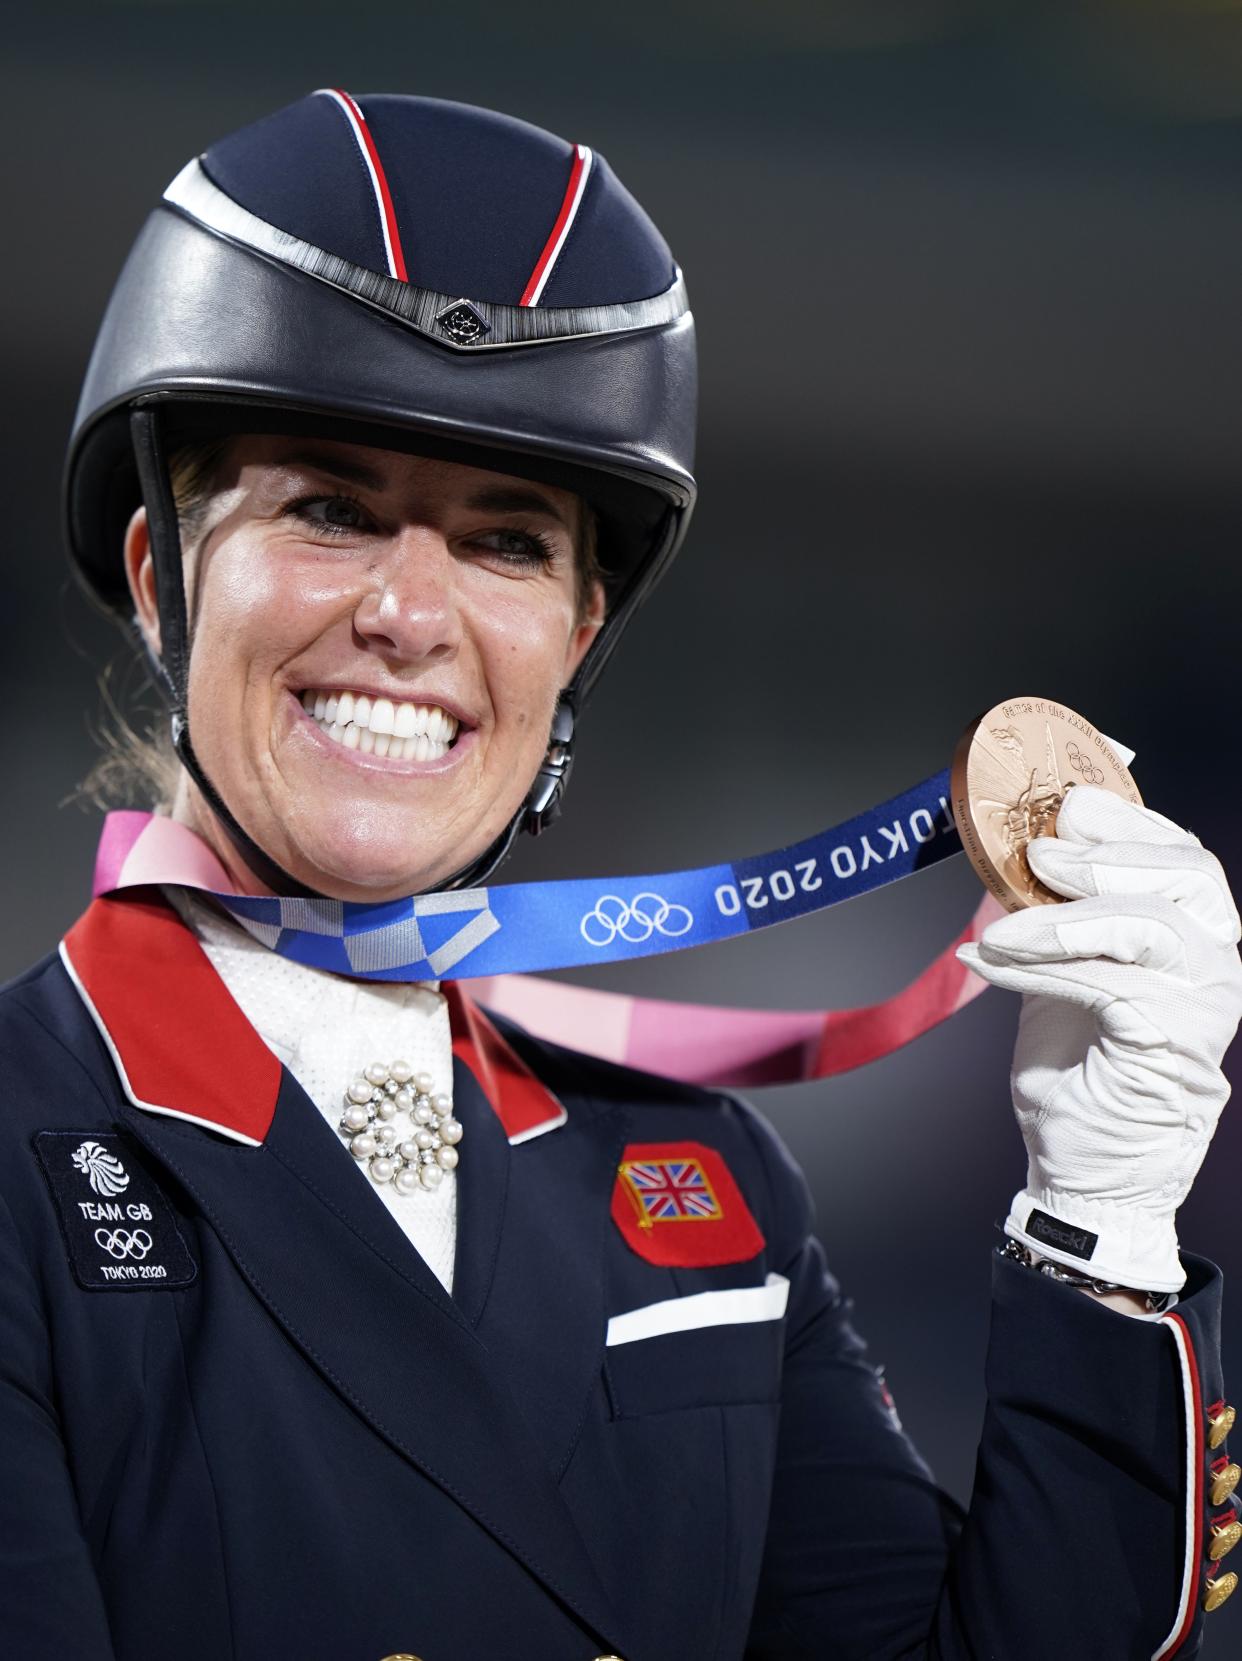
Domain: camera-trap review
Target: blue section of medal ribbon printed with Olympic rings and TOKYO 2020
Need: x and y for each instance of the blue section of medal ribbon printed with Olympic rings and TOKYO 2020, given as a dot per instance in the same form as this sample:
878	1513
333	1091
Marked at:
526	928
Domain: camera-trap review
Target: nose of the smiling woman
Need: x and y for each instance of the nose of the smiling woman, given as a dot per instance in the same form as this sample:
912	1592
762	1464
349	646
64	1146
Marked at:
411	610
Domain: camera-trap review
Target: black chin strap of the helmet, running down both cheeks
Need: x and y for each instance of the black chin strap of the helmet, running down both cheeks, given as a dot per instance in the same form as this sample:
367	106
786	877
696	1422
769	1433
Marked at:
537	813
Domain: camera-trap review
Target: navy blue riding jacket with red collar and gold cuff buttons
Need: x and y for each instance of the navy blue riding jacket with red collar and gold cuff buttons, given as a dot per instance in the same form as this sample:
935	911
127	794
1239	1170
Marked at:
273	1434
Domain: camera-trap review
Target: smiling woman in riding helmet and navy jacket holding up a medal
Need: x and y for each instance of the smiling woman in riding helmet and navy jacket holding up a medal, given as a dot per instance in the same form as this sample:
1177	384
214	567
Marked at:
331	1330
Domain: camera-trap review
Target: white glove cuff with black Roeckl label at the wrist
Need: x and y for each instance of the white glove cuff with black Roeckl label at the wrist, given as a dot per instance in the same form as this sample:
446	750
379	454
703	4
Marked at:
1108	1243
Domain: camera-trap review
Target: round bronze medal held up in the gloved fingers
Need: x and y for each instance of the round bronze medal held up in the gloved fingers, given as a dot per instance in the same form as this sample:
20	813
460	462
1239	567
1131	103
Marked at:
1010	777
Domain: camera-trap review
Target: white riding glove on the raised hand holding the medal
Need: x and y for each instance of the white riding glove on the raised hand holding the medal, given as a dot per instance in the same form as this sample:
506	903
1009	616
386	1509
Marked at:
1132	996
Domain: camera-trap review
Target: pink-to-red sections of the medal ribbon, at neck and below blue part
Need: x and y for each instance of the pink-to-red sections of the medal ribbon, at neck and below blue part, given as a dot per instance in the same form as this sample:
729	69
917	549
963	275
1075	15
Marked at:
698	1044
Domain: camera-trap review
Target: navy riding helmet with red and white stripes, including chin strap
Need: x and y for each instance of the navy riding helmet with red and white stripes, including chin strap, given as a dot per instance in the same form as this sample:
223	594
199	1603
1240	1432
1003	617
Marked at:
413	275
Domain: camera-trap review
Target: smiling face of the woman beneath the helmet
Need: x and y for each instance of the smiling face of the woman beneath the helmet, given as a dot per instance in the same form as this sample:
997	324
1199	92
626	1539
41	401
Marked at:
378	649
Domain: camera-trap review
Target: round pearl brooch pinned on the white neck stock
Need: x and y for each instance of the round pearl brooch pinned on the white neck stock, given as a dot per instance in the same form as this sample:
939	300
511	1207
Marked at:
411	1155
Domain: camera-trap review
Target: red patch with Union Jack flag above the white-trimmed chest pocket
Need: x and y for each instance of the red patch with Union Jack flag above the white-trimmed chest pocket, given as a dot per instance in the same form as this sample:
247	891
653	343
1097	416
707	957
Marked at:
680	1207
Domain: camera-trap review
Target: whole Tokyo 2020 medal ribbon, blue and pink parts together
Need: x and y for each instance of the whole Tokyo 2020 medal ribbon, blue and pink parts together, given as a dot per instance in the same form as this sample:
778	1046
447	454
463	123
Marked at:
494	938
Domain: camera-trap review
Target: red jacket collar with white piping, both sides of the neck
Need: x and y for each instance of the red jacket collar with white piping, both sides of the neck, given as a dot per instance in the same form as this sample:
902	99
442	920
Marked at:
183	1047
